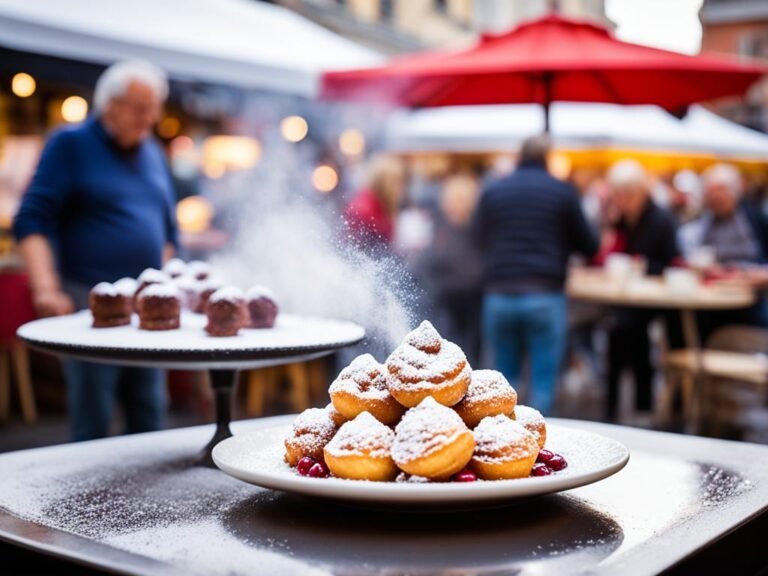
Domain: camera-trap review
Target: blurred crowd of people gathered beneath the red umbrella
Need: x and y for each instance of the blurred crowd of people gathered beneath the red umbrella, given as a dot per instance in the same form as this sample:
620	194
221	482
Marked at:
499	250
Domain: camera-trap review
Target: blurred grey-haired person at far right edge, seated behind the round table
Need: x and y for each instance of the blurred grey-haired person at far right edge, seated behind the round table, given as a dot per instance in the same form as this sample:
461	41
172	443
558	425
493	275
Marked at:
735	233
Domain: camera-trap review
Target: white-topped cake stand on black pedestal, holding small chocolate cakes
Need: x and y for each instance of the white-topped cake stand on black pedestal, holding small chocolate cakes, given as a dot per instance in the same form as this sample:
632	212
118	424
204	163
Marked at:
293	339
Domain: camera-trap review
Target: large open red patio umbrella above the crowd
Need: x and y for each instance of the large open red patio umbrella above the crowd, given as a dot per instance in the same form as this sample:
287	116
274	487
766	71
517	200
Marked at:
546	60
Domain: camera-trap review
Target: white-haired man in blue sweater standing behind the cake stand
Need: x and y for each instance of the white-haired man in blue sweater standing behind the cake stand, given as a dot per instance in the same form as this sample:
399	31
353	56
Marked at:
101	207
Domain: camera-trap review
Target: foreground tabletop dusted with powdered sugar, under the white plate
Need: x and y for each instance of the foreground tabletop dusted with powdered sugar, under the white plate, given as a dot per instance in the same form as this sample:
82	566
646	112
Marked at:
133	505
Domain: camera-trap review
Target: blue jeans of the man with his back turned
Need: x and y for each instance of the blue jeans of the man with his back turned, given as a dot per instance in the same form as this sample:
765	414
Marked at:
536	324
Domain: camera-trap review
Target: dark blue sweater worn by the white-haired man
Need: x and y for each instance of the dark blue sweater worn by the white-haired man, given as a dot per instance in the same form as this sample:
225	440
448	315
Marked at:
107	212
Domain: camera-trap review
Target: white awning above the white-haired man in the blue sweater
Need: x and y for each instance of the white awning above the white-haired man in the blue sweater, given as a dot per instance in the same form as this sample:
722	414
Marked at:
242	43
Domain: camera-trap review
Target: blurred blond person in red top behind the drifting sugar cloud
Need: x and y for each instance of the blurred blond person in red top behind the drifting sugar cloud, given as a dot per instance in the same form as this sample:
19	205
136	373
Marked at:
371	214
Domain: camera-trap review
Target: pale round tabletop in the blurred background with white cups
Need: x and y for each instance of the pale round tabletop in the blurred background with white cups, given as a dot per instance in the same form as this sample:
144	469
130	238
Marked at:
593	285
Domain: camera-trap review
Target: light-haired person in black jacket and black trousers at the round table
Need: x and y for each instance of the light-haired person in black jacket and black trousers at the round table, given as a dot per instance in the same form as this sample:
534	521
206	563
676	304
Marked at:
640	228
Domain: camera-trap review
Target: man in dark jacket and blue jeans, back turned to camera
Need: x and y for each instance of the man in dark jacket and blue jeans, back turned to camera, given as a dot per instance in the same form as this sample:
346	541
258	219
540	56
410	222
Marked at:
528	224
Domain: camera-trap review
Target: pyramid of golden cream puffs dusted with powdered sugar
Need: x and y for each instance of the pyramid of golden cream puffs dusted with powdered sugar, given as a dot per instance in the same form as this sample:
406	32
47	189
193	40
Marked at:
423	415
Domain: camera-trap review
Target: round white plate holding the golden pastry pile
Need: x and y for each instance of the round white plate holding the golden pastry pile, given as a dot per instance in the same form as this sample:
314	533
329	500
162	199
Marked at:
257	458
